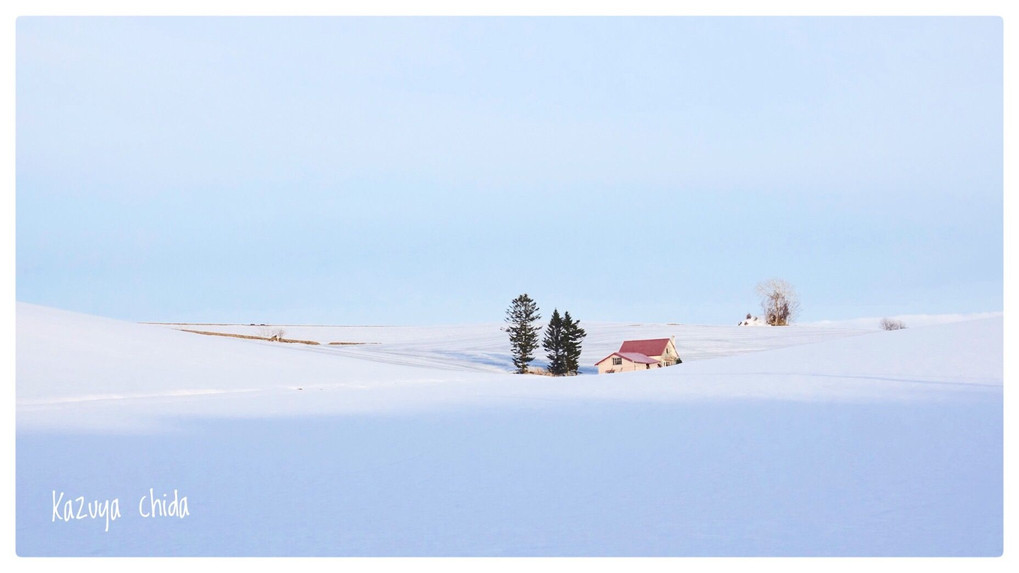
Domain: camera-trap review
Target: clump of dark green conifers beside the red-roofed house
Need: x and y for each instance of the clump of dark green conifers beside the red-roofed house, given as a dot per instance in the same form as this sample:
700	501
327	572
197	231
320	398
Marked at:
562	342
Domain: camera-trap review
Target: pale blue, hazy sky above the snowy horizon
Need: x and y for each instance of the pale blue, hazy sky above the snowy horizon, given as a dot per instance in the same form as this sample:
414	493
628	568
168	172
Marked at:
428	171
